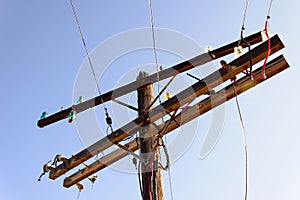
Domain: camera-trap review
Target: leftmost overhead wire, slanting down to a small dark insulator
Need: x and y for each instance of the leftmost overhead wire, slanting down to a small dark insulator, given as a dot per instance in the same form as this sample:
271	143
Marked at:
108	119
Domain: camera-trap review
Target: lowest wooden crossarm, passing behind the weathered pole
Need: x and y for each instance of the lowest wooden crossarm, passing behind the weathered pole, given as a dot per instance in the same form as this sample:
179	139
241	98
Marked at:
274	67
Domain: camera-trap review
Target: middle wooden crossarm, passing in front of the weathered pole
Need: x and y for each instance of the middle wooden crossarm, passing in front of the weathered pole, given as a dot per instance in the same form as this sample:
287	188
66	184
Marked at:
187	95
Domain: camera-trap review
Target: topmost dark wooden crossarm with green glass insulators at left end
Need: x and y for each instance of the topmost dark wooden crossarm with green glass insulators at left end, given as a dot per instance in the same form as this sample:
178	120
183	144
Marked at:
169	72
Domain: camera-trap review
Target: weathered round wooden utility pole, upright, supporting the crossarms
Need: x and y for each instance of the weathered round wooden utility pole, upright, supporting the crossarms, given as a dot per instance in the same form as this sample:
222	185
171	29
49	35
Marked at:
151	174
